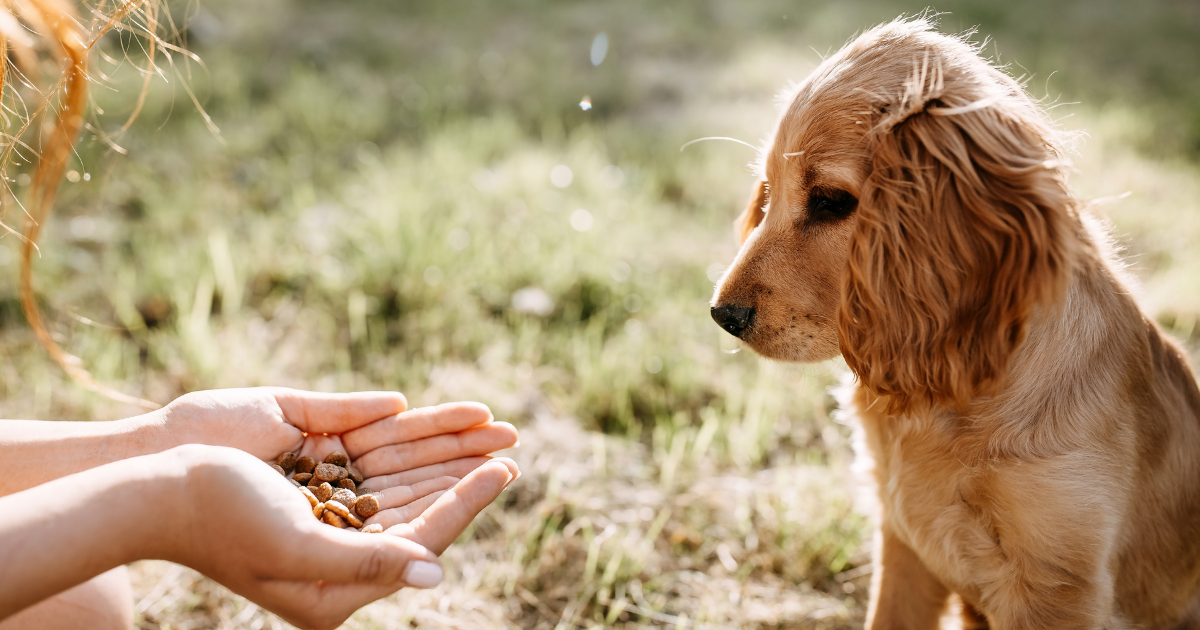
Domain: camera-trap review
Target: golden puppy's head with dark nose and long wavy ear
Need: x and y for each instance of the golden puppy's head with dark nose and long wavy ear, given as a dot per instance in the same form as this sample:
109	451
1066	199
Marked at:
913	214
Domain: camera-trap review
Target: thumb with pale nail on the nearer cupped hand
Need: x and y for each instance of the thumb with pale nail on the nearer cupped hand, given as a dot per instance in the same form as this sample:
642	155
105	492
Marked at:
341	556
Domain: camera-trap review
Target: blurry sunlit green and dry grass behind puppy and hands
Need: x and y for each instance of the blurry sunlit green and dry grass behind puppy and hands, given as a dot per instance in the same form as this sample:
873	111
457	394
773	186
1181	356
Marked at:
380	212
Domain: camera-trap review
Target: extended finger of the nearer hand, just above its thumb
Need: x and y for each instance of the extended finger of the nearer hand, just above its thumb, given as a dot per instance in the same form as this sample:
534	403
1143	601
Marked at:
442	523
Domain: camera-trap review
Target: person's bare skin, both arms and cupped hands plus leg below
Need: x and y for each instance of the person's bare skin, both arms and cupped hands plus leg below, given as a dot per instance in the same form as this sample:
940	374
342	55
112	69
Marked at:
112	493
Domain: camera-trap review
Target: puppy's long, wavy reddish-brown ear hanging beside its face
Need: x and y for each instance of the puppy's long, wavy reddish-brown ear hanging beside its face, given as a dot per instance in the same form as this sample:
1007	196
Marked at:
965	226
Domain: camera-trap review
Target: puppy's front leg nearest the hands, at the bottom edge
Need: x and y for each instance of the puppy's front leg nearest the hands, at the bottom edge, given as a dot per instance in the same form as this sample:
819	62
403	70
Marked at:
904	595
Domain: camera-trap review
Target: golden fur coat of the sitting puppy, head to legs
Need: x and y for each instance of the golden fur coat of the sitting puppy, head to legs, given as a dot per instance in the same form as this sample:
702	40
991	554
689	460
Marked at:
1033	436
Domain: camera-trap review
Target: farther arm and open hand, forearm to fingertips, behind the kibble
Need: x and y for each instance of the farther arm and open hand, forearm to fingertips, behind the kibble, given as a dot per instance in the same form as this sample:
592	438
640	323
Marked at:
265	423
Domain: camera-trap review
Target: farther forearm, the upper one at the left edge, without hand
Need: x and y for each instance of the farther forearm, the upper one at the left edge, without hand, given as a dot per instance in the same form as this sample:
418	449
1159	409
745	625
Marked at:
38	452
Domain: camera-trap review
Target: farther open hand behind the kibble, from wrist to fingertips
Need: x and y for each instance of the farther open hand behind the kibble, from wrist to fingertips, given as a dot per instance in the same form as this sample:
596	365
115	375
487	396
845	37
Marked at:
268	422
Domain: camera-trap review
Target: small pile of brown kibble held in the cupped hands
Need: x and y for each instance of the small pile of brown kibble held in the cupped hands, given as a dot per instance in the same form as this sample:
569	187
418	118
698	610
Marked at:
333	490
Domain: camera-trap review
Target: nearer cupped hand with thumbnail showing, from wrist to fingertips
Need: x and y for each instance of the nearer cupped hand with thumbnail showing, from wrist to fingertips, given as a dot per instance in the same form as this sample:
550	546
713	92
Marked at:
243	525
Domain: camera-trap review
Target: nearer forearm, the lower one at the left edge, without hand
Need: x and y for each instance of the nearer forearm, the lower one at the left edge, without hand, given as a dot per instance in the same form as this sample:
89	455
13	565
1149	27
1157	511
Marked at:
65	532
